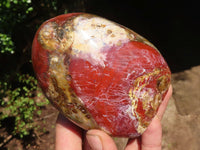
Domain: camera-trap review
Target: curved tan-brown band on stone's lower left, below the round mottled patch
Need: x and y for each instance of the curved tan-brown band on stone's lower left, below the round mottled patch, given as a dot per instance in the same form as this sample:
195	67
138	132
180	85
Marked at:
63	97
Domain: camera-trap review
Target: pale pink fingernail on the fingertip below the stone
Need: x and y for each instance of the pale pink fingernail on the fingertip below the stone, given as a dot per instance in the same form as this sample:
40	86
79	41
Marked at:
94	142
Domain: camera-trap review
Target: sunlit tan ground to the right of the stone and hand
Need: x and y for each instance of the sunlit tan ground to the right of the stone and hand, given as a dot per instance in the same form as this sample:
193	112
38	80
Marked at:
181	122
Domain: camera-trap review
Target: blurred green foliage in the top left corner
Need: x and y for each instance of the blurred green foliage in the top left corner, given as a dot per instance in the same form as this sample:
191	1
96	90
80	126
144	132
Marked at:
11	13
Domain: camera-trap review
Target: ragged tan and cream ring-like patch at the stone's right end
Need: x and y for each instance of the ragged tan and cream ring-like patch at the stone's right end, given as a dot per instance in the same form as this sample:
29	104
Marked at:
150	102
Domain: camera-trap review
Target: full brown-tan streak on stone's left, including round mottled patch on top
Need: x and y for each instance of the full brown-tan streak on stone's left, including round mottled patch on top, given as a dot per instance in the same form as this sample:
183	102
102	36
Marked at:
58	39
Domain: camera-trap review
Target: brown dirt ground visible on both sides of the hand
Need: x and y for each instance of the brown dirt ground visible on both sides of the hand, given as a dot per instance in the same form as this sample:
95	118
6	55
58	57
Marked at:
181	122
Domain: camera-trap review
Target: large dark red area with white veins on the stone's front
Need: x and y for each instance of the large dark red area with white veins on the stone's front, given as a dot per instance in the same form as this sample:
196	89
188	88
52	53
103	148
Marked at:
104	90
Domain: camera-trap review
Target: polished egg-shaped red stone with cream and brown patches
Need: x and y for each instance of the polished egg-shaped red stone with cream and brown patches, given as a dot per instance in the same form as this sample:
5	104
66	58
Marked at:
100	74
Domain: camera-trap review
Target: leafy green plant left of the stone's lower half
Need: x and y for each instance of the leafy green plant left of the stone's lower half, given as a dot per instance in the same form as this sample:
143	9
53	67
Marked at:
19	103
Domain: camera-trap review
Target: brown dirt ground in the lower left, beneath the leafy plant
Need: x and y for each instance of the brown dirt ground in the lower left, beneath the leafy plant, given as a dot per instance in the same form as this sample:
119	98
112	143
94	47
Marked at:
40	139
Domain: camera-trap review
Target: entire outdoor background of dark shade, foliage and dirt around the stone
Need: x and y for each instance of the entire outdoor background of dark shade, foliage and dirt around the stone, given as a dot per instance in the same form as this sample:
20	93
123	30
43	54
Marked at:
27	120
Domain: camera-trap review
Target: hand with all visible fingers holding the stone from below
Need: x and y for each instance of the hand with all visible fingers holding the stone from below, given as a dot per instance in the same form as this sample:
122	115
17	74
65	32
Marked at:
71	137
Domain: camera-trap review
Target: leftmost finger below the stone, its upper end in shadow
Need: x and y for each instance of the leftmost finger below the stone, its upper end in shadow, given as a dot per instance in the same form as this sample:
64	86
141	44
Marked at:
68	135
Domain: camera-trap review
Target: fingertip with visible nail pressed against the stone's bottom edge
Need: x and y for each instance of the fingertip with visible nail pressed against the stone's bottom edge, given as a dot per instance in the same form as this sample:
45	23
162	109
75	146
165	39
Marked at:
99	140
